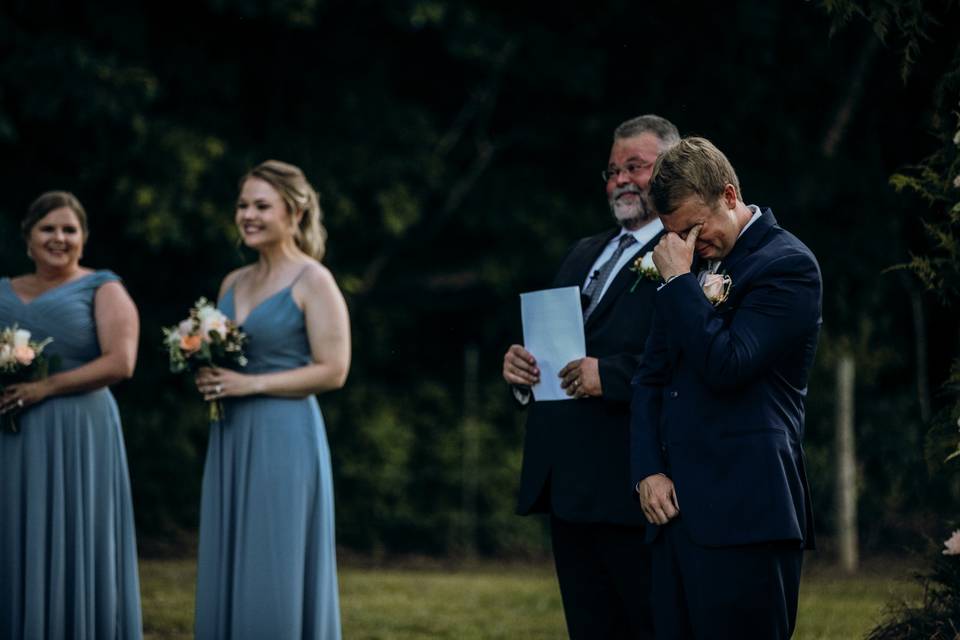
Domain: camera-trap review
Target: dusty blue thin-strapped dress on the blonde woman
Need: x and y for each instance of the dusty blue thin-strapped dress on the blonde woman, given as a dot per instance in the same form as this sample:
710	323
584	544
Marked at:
267	557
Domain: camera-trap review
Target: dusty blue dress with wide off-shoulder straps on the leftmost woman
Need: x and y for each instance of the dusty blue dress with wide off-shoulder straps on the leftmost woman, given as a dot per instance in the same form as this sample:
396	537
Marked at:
68	557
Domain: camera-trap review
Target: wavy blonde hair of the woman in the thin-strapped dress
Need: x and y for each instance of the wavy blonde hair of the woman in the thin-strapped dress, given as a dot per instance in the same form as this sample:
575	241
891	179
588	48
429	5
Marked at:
299	196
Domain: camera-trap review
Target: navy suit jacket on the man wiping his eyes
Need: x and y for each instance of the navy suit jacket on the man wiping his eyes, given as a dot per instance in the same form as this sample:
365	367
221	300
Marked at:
718	402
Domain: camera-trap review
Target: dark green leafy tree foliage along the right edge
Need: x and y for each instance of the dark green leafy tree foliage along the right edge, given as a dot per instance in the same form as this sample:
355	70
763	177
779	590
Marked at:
935	263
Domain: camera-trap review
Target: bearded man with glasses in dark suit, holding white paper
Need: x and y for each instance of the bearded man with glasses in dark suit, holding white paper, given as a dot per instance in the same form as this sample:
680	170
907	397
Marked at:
576	452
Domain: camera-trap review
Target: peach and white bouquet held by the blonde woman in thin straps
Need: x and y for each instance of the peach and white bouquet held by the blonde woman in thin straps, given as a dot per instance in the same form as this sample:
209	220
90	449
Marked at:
206	338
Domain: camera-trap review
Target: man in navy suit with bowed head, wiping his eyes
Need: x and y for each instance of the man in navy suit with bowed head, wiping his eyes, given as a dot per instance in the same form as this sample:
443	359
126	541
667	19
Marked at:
718	406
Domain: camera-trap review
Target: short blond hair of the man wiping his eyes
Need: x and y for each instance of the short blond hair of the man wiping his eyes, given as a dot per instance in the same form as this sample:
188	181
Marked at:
692	167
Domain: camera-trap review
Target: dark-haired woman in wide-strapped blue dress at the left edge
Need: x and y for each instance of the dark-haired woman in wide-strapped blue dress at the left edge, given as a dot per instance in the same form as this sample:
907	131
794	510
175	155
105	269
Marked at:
68	559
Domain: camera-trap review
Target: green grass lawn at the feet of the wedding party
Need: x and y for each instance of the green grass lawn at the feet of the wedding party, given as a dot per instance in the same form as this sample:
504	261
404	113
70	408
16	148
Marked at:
492	601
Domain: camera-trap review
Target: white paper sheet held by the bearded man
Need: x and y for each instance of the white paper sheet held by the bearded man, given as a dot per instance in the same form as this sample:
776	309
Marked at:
553	333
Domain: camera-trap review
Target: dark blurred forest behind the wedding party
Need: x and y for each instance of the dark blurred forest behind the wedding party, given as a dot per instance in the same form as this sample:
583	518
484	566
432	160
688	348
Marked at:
457	147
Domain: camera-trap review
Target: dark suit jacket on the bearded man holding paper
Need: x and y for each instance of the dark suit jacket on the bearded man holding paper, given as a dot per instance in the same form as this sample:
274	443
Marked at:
576	461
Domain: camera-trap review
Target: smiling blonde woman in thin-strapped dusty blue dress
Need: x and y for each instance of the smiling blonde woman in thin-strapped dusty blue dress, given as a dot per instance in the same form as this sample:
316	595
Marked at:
267	562
